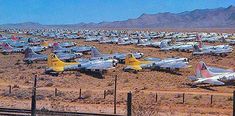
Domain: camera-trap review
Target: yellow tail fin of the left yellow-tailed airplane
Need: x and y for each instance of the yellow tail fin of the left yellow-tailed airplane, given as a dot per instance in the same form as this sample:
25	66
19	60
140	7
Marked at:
55	63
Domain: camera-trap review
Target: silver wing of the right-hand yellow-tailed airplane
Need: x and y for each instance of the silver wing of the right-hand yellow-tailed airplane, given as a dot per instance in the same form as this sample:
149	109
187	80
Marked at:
174	65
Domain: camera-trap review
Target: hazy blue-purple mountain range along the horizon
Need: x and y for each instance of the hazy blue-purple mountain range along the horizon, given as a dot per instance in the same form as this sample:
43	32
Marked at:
199	18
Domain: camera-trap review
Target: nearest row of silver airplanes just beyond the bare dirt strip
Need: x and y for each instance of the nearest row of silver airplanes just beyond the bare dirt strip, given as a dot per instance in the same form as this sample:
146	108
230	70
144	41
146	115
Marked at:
197	47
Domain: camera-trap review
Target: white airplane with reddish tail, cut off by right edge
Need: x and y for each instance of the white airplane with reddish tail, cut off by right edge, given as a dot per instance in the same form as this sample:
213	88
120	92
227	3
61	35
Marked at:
212	75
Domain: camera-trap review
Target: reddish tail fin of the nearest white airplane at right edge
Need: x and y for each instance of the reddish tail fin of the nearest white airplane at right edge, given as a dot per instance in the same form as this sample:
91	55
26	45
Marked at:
202	70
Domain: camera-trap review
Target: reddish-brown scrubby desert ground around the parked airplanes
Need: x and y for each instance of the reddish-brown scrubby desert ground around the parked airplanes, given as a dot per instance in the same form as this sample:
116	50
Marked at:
144	84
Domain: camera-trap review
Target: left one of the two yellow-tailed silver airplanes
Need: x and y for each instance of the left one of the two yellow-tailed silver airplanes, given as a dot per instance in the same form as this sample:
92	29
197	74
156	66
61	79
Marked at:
55	66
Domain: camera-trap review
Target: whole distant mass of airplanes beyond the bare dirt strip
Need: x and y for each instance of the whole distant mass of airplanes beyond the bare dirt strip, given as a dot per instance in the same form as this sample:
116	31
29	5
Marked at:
171	40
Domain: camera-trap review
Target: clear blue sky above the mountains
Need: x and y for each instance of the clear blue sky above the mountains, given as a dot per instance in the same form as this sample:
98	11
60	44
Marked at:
76	11
